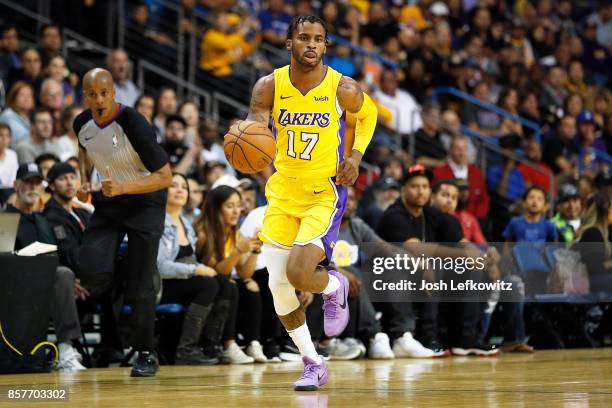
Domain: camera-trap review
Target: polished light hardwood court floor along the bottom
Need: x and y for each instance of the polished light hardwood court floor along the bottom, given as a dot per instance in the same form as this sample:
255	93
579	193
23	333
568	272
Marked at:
573	378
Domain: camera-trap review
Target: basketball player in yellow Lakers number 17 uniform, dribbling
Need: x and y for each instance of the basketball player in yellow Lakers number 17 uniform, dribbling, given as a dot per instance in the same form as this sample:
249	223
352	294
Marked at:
307	195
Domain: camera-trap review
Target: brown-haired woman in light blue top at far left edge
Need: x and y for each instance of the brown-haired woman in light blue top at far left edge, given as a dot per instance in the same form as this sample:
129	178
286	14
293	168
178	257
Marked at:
20	104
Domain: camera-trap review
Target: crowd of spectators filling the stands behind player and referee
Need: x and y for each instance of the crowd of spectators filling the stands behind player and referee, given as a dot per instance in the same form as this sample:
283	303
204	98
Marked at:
546	61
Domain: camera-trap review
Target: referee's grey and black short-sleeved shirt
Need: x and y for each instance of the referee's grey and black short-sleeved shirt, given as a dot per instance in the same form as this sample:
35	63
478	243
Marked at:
127	145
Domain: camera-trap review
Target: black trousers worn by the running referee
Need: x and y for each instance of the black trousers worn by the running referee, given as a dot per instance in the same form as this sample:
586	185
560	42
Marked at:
144	227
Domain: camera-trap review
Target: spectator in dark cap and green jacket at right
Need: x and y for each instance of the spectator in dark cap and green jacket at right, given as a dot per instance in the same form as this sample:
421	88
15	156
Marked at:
569	211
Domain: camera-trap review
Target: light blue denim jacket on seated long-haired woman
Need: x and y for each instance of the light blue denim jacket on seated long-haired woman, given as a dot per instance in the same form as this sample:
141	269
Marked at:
169	248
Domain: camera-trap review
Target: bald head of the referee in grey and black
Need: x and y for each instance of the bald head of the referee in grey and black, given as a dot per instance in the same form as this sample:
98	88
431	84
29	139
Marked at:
99	92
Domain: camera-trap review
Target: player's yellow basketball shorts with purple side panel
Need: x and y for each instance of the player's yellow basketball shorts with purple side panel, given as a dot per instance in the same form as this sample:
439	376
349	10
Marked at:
301	211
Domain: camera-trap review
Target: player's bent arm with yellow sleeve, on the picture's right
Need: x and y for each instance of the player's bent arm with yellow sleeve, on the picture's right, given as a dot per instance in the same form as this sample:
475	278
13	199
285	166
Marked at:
355	102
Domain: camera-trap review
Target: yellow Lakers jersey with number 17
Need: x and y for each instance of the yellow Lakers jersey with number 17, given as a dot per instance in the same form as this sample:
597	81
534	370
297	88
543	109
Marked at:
309	129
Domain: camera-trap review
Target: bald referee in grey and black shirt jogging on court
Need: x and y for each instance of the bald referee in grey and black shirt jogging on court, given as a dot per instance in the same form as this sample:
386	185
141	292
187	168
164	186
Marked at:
120	144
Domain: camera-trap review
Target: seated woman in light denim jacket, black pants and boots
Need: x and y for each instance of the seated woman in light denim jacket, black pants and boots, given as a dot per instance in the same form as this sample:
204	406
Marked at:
185	280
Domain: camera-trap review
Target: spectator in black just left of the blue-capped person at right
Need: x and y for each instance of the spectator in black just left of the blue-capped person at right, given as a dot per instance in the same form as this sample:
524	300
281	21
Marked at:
560	152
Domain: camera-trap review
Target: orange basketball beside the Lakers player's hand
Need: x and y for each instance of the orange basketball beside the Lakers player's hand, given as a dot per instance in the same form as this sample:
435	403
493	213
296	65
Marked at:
249	146
